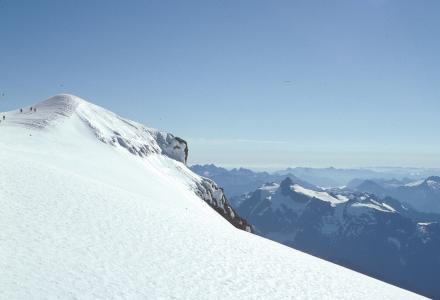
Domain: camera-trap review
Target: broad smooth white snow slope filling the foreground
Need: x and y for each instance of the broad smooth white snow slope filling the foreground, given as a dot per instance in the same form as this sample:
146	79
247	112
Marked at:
80	219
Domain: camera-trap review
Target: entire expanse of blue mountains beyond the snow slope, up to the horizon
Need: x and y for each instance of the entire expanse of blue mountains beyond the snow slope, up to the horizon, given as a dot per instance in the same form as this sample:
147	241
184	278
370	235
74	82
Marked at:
378	225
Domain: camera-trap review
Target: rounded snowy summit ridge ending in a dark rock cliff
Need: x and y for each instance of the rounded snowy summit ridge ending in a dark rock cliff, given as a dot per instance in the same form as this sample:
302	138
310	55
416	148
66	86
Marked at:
108	127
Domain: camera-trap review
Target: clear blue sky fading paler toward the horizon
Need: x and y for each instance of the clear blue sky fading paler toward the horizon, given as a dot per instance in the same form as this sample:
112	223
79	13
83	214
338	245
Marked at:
263	84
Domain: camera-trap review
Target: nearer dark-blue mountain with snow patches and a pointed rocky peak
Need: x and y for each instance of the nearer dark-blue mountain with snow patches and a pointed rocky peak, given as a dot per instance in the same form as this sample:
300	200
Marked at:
379	237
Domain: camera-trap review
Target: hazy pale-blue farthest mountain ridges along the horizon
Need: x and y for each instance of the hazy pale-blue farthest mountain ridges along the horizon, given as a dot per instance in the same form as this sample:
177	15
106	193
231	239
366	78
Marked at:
421	193
